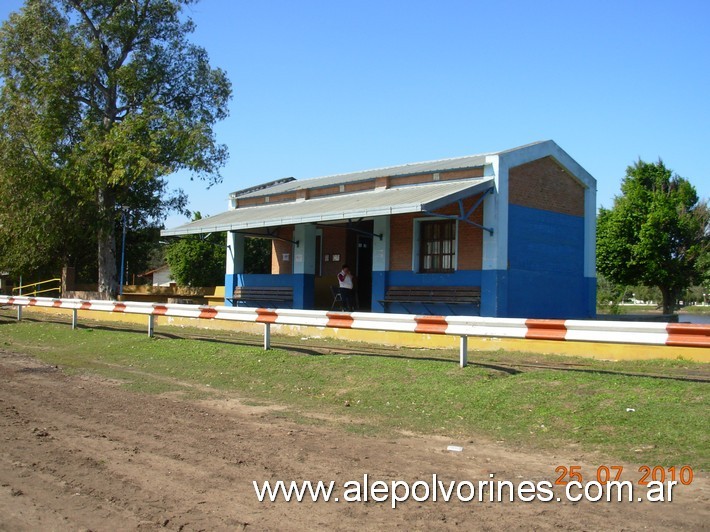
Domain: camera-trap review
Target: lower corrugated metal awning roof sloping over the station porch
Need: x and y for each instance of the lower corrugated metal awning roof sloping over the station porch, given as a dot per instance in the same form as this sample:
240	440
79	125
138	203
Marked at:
399	200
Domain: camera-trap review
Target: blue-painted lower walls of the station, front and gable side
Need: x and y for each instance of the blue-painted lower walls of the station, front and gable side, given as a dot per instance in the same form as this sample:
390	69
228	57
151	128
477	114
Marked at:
545	278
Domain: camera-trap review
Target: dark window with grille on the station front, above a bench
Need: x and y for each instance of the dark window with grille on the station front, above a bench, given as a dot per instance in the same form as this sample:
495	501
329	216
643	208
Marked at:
437	246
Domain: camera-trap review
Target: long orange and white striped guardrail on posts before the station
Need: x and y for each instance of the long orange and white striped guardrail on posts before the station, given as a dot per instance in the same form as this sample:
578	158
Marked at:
646	333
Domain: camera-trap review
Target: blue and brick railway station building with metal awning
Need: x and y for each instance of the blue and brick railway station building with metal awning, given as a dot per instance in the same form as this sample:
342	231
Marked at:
504	234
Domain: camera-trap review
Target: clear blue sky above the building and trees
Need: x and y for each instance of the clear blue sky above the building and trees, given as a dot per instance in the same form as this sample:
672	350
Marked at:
324	87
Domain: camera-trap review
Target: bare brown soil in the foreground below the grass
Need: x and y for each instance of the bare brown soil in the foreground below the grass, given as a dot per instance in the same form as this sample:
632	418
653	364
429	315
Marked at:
83	453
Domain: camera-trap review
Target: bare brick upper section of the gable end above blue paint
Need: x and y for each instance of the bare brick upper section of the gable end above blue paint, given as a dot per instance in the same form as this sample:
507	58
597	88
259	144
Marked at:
544	184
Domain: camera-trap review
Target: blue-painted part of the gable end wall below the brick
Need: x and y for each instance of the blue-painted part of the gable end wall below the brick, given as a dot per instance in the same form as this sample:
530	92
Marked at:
546	265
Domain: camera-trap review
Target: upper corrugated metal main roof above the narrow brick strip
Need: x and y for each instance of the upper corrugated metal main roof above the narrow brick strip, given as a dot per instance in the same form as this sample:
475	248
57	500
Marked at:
459	163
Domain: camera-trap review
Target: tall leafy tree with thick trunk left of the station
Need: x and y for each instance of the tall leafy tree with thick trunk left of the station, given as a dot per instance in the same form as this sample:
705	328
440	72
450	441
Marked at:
100	101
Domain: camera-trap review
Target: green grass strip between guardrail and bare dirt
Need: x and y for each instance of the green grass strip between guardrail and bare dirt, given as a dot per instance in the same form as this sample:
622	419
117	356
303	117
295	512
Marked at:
583	407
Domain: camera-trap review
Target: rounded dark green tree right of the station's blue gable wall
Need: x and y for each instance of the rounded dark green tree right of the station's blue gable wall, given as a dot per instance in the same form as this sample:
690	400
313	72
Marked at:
655	233
